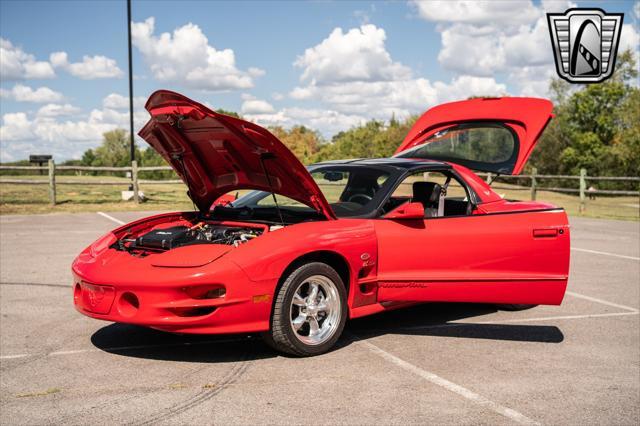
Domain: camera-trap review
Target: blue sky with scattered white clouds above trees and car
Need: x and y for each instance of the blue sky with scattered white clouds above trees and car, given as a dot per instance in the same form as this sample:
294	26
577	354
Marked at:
327	65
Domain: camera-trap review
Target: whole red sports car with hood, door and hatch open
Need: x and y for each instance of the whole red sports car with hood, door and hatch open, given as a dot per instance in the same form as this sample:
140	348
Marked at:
308	248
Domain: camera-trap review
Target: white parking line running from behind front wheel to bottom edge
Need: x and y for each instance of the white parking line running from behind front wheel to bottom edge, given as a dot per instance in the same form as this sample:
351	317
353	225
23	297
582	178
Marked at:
450	386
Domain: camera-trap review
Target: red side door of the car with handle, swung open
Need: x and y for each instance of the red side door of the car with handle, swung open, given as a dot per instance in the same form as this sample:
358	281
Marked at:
494	258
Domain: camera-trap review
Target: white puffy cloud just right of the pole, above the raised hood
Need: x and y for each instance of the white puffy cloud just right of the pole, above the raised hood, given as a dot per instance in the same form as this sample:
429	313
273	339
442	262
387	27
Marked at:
185	57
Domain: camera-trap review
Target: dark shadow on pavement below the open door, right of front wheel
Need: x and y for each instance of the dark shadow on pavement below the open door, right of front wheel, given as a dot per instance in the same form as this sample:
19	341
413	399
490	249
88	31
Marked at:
435	319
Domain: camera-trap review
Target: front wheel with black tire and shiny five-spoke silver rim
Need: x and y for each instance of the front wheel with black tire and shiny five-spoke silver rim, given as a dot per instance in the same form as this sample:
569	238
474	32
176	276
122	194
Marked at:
309	312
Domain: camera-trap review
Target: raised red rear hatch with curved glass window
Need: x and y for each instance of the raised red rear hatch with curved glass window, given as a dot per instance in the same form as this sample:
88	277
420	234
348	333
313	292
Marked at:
488	134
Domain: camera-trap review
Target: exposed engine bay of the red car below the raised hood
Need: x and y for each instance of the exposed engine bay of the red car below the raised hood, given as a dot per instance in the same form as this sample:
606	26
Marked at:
163	238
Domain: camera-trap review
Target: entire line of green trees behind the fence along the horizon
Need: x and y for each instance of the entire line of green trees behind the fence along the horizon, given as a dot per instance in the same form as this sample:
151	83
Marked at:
596	127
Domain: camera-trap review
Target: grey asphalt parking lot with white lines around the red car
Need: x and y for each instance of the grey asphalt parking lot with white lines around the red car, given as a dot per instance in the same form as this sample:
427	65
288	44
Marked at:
578	363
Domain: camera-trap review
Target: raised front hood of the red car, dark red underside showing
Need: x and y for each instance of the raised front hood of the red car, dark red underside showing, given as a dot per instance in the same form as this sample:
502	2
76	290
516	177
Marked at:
215	153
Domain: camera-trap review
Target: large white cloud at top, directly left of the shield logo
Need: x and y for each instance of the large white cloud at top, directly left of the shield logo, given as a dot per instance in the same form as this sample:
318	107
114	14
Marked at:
485	39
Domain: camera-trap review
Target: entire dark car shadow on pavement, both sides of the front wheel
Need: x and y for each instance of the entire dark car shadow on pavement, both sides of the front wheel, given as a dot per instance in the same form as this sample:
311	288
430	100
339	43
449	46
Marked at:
433	319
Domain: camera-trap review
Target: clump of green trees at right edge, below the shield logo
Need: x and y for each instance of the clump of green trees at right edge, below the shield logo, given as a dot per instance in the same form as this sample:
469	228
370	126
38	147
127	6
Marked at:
597	126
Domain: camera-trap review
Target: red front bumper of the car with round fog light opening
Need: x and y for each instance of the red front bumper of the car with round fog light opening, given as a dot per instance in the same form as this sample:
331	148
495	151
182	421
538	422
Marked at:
162	300
